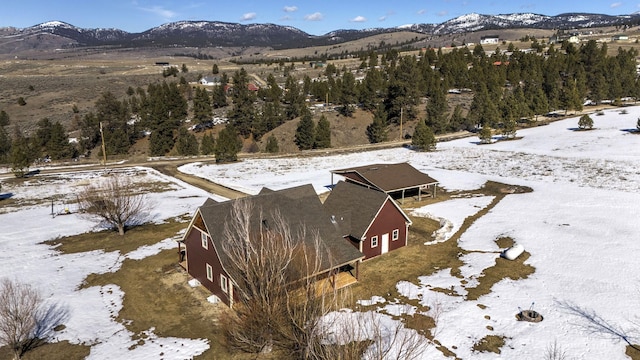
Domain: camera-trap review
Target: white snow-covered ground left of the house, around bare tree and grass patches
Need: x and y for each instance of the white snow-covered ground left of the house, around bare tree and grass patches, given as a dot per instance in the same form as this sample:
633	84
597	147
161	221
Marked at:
92	312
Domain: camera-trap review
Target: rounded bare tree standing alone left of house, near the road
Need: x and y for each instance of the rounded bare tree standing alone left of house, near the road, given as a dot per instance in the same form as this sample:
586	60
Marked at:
115	201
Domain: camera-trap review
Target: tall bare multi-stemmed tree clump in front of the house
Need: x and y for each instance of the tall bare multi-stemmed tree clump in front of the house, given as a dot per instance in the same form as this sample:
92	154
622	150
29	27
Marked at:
276	276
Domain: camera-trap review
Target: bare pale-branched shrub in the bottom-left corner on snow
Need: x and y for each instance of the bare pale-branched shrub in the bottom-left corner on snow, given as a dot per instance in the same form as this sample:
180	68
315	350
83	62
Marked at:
25	320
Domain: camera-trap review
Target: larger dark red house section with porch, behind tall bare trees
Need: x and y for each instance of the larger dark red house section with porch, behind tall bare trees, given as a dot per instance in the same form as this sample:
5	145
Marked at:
204	257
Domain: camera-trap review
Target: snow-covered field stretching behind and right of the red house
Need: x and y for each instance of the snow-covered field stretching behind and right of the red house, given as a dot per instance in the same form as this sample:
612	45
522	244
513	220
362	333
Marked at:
579	225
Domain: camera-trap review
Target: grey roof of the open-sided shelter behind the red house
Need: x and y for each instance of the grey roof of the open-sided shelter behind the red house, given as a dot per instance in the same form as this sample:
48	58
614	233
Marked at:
387	177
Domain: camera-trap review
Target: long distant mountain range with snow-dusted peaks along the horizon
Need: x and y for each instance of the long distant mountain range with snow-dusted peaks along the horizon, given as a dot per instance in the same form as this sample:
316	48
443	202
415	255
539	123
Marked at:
54	35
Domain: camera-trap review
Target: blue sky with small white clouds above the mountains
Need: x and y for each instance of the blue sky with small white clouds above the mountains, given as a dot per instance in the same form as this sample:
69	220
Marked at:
314	17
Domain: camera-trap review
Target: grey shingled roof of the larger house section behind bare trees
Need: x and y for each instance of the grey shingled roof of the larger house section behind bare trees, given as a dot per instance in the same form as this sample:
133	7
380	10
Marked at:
300	206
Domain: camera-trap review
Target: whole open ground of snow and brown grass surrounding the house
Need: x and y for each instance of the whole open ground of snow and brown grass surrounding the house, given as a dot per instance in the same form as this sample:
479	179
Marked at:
570	198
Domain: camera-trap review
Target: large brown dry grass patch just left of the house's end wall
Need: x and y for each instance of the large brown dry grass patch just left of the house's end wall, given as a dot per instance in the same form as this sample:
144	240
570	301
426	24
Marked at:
157	296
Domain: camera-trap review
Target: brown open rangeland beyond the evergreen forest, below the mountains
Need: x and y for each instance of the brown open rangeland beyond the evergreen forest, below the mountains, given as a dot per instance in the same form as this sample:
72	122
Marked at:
78	77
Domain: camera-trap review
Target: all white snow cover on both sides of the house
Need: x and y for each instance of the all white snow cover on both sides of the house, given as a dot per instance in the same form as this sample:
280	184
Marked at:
579	225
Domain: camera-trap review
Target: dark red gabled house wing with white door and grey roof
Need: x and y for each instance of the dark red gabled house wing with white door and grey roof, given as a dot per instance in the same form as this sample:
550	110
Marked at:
369	219
